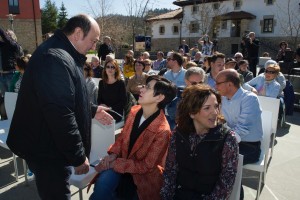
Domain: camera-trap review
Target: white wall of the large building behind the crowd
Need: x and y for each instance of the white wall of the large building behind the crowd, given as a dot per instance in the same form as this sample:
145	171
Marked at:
258	8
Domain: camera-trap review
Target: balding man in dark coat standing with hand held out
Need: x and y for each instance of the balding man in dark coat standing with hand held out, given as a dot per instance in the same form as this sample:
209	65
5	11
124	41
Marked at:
51	126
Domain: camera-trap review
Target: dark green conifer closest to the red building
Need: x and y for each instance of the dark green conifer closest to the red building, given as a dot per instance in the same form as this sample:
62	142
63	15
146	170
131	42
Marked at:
49	17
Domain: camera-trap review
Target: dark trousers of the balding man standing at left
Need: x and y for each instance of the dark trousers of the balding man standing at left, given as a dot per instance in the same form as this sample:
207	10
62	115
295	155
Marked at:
52	180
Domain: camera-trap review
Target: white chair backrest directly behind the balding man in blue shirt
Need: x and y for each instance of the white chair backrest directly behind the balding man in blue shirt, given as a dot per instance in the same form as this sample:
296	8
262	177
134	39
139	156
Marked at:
266	118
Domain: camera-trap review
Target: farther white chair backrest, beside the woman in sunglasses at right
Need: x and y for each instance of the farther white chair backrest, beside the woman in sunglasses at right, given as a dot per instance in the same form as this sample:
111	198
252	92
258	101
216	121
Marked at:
272	105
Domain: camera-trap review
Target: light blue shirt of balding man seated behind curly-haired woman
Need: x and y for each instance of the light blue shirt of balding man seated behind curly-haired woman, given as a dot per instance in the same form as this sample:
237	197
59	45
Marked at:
243	115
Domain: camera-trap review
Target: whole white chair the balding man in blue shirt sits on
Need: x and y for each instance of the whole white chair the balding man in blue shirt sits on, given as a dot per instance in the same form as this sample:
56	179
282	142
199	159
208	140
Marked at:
261	165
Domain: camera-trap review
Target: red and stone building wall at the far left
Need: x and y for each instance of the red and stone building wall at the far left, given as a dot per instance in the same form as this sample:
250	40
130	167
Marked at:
28	30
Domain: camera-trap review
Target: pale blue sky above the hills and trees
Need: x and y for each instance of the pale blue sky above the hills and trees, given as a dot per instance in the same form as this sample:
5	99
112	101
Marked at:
81	6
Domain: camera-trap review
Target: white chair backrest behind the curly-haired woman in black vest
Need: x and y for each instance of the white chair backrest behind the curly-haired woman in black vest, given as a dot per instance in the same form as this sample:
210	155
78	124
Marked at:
235	194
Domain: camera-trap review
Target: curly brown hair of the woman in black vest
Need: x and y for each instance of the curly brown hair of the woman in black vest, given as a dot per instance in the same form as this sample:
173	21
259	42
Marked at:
193	98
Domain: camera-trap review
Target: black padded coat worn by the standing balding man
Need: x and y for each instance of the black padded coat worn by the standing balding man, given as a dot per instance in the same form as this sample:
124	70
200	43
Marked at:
52	119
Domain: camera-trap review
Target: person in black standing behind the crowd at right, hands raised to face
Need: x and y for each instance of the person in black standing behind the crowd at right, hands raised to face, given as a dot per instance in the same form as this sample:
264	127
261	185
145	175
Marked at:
252	46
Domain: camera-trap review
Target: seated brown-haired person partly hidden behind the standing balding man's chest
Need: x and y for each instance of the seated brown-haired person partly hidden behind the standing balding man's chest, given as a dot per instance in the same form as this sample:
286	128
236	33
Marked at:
92	87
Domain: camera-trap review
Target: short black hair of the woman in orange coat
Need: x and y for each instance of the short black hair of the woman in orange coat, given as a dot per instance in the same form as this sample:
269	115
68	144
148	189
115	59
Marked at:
165	87
